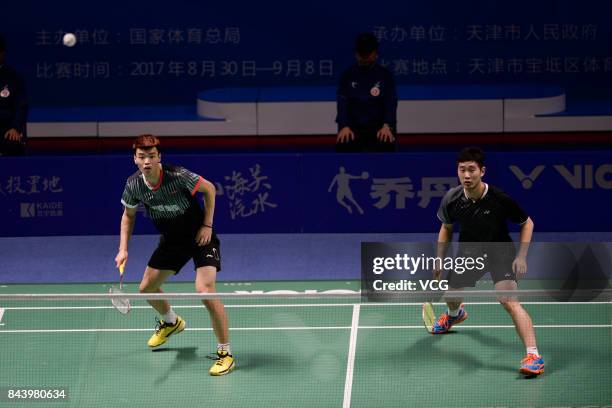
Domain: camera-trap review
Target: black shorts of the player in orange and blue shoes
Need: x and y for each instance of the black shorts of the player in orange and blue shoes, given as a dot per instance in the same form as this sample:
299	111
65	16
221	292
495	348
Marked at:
498	264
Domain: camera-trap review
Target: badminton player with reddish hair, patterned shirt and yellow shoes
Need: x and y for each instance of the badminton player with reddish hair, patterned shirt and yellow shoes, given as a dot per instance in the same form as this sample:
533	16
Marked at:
169	196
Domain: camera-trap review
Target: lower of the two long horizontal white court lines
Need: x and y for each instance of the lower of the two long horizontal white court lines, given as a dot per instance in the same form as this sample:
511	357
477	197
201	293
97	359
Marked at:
352	328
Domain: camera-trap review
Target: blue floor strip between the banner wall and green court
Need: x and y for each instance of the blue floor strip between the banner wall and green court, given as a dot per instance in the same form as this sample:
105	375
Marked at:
245	257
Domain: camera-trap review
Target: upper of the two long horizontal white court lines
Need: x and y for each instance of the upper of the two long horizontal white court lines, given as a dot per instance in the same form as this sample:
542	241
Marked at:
296	305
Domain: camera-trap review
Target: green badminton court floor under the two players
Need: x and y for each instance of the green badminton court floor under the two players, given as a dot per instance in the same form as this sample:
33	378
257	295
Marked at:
315	353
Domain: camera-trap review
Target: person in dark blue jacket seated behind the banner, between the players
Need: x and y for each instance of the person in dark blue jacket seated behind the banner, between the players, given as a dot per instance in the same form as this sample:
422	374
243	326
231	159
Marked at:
367	103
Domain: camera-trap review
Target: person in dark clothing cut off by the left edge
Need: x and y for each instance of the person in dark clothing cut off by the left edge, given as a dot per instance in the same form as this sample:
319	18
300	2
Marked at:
13	109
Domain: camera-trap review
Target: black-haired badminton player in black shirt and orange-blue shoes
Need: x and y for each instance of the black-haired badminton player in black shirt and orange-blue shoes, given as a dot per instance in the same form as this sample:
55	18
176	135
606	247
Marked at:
482	211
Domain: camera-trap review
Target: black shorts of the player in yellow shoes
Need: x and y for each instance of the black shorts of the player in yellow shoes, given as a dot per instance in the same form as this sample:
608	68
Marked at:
173	256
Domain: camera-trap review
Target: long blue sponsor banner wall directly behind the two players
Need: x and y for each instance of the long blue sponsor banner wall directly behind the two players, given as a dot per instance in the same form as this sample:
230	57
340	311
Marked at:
289	193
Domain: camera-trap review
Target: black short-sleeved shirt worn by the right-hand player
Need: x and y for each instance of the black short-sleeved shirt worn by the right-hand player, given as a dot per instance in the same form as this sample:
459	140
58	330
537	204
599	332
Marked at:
484	220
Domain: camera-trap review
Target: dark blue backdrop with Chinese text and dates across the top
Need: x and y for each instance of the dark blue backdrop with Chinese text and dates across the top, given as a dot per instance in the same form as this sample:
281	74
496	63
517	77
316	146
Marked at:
156	52
